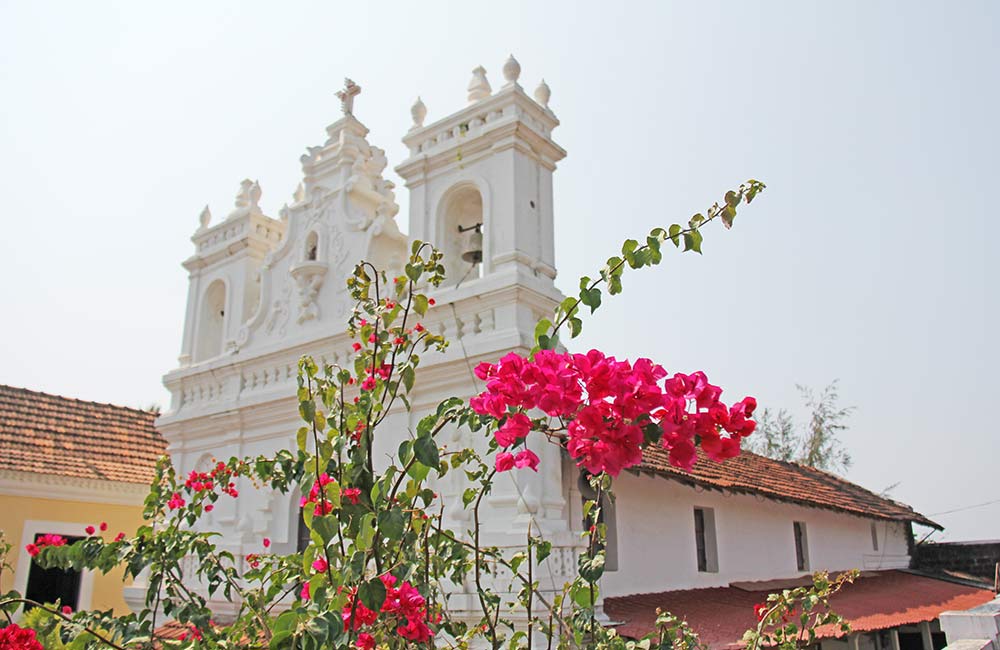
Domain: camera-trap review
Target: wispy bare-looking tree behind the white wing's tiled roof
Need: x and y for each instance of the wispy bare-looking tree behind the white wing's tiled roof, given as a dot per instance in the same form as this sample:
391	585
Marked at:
817	444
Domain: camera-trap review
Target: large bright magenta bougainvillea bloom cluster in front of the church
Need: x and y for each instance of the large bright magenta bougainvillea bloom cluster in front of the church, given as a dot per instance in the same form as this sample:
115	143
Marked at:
609	409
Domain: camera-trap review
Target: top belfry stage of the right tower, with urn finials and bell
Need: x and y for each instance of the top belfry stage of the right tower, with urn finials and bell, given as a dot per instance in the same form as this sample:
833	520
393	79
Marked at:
481	179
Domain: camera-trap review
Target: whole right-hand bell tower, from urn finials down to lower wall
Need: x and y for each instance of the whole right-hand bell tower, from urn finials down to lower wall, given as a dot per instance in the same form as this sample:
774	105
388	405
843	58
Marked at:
480	183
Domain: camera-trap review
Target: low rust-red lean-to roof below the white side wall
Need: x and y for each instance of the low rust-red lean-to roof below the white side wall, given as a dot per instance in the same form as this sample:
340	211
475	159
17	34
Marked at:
876	601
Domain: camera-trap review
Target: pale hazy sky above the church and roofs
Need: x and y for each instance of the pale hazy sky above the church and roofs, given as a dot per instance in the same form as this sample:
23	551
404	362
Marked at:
873	123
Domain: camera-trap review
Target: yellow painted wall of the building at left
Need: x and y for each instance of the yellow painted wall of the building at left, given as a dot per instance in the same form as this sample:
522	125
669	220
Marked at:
15	510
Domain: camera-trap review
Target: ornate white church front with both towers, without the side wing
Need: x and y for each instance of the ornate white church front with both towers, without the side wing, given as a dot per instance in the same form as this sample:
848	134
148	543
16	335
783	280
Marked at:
265	291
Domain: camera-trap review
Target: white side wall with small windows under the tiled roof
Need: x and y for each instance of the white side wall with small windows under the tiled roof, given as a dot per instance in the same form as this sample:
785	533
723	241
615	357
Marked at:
656	538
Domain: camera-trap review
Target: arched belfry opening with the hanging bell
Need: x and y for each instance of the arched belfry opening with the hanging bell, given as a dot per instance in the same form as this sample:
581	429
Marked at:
459	212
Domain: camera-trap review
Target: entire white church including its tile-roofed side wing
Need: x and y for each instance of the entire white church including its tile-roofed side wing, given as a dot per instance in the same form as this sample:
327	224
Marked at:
266	290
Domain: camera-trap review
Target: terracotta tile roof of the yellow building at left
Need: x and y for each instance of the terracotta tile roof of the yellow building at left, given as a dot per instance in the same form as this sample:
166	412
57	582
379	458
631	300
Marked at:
48	434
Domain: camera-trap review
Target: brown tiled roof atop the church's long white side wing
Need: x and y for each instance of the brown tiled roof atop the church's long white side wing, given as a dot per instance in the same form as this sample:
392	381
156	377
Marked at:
783	481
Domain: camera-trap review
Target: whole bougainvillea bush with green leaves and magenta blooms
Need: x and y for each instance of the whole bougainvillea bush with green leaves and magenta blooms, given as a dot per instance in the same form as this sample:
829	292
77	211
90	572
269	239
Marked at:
380	563
